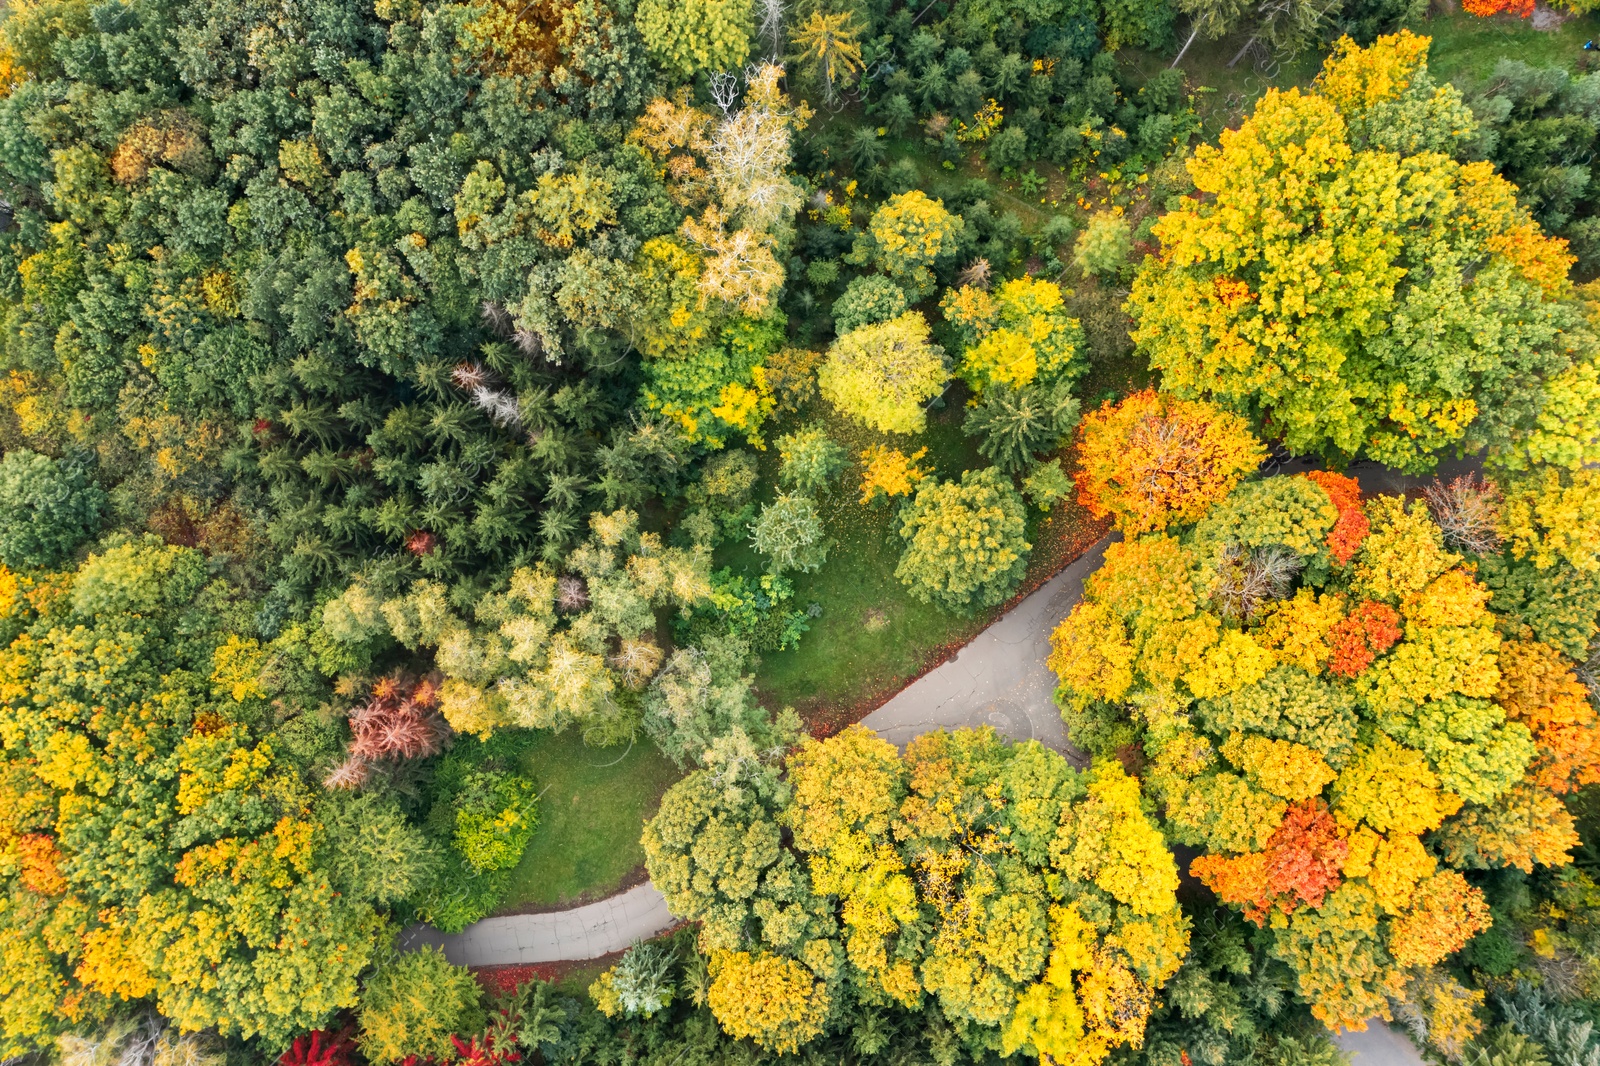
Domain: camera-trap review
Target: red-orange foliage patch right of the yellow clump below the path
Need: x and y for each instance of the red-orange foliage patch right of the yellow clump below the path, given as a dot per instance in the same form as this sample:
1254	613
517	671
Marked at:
1300	867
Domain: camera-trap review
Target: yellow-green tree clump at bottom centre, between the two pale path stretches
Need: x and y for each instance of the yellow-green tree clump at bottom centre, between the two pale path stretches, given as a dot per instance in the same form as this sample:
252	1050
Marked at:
1031	905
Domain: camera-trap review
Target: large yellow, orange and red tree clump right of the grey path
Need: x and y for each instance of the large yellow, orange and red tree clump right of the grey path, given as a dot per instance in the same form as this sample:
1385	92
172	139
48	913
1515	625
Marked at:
1337	719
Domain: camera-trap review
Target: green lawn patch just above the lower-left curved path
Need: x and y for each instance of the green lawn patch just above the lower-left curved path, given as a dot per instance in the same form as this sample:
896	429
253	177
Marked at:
593	806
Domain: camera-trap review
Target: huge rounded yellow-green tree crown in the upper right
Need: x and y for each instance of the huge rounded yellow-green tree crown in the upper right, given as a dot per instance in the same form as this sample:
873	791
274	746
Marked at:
1351	284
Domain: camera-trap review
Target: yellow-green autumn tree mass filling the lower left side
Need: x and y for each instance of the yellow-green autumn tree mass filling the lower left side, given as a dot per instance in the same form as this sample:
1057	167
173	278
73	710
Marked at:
158	848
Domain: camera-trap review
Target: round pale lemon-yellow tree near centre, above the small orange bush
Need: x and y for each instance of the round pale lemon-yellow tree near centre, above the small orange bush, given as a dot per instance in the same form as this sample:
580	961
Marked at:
882	375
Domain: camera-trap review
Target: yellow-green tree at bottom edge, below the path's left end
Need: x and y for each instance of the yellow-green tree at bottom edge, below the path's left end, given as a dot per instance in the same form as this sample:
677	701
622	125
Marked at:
414	1004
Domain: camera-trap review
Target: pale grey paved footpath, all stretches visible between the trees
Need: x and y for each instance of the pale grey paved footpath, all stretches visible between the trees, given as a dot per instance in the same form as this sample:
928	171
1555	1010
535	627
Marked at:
999	679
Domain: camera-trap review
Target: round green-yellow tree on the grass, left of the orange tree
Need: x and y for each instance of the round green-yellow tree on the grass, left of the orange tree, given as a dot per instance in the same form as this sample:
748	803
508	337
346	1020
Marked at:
964	542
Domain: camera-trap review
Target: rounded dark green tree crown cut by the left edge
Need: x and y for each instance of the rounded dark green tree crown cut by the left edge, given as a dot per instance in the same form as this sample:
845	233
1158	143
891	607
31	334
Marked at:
47	510
